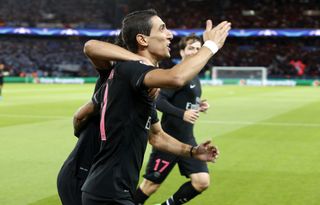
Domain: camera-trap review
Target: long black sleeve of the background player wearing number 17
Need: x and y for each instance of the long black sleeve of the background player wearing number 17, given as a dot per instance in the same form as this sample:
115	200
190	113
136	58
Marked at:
163	103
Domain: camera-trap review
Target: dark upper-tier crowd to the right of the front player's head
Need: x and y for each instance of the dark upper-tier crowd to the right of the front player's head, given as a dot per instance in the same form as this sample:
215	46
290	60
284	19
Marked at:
242	14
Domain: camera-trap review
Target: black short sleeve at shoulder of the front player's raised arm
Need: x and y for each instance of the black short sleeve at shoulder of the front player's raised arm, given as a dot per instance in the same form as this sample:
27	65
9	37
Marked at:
134	71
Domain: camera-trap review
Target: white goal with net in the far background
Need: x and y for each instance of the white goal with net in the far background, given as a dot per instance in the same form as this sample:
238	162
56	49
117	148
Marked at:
244	75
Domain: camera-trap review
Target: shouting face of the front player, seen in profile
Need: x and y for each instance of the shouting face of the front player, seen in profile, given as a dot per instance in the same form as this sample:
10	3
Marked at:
159	39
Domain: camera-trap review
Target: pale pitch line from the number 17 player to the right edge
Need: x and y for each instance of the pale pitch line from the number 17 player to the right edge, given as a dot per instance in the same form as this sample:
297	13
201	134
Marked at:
287	124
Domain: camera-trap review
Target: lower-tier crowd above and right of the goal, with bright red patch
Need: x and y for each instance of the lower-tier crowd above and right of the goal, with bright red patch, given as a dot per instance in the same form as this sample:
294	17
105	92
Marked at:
284	58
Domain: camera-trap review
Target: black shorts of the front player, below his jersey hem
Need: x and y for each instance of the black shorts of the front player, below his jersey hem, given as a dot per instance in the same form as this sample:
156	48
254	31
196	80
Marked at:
88	199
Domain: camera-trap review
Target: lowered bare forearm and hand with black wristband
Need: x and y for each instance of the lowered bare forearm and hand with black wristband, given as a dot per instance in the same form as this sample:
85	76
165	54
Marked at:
164	142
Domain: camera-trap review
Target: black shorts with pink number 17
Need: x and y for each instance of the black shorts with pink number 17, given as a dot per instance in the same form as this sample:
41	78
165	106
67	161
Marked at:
161	163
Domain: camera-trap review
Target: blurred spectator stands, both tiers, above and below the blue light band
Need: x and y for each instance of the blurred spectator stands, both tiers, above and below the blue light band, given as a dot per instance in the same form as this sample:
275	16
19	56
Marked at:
62	56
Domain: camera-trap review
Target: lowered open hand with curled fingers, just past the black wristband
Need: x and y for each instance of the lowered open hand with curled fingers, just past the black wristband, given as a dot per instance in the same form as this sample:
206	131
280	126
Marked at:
205	152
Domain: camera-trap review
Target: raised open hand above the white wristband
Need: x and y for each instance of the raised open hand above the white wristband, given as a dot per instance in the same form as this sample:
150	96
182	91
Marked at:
217	34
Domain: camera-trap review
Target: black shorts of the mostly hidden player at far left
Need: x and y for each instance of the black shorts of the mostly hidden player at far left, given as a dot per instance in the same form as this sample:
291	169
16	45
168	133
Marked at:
69	186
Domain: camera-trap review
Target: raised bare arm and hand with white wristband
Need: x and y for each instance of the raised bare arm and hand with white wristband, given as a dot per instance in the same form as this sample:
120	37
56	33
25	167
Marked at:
185	71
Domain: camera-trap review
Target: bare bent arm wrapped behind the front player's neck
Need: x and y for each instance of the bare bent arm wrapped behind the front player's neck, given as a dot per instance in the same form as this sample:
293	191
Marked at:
102	53
